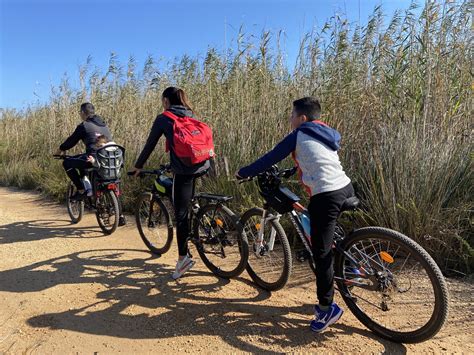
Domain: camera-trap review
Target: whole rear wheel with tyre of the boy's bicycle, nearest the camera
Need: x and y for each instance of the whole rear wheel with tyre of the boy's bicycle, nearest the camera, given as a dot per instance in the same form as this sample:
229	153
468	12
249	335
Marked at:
392	285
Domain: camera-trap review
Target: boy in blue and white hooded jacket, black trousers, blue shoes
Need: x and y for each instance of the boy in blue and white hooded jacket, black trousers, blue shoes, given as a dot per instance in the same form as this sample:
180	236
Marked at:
314	145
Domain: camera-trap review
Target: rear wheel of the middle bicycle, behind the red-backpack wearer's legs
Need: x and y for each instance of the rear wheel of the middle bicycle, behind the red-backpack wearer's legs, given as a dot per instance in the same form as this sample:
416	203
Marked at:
220	242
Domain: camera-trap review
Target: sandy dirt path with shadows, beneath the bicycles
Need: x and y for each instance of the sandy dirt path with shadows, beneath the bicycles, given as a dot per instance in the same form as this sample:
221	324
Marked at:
69	289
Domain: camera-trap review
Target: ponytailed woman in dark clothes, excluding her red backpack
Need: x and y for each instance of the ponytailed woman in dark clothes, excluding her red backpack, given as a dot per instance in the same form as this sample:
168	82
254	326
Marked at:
175	101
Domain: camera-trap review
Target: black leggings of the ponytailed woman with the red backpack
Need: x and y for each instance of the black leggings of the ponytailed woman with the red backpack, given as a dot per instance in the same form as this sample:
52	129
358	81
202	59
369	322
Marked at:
183	192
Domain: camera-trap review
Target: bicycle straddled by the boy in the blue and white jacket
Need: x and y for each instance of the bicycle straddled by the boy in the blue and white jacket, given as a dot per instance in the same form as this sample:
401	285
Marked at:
388	281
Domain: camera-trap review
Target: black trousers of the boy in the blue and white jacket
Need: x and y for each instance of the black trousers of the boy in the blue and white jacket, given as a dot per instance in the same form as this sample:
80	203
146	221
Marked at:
324	208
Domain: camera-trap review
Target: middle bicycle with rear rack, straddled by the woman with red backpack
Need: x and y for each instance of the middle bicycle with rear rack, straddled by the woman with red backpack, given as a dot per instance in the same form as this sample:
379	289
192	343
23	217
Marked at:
215	229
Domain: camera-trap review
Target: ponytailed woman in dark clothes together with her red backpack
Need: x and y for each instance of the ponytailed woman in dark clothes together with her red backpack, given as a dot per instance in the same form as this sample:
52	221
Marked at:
189	143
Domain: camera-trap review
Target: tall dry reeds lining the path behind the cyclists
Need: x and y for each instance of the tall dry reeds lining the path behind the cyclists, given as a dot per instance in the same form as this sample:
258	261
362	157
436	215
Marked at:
400	94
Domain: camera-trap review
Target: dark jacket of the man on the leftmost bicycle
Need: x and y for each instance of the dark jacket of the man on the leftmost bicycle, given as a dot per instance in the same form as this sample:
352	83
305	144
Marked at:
87	132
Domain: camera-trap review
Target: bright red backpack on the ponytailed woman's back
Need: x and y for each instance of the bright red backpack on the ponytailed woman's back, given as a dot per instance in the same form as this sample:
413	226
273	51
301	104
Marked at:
192	139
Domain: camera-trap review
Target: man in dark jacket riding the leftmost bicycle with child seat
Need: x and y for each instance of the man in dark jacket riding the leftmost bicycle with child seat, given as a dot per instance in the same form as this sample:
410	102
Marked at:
92	127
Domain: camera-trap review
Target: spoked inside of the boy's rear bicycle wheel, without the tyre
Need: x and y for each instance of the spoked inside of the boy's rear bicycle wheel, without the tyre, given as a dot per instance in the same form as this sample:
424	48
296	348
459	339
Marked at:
400	296
